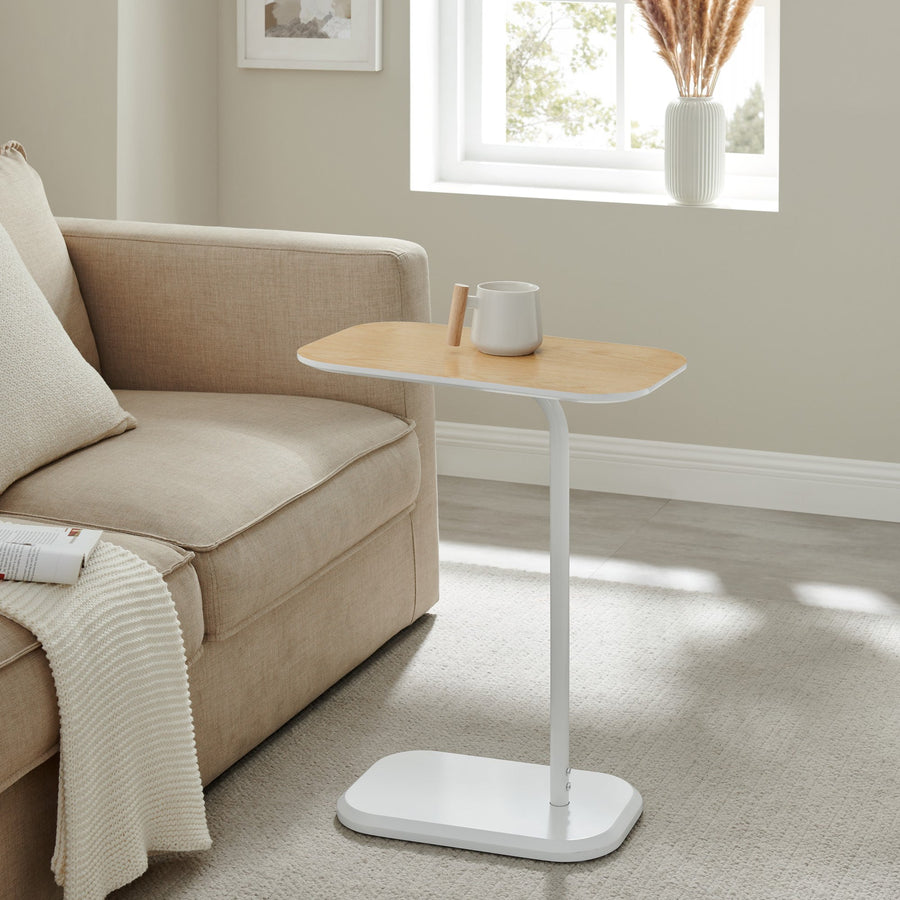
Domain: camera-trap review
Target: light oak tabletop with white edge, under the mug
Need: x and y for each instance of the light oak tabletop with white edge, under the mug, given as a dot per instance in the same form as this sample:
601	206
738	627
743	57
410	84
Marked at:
561	368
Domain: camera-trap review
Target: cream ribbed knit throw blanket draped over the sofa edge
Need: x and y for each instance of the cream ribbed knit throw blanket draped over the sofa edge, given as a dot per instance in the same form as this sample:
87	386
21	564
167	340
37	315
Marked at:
128	782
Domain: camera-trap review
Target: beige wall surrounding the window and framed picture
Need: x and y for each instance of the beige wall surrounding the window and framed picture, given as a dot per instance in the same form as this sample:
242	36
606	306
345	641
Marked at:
789	321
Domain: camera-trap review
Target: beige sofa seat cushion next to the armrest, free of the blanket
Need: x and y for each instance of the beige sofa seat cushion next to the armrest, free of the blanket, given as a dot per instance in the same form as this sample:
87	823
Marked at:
265	489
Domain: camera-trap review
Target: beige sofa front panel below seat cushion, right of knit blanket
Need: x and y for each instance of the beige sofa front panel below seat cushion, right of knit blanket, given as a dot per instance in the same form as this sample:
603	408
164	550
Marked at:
315	637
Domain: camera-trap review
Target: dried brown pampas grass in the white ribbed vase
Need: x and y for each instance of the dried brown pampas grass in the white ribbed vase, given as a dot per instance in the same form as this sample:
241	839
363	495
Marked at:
695	38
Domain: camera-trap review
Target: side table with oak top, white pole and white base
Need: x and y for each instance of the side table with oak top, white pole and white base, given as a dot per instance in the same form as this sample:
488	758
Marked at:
502	806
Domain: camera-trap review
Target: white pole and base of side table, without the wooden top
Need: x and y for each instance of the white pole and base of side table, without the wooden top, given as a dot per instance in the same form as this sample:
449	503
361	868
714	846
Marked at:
500	806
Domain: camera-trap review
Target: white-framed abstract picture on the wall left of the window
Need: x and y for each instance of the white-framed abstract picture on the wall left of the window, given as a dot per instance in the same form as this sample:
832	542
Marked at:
310	34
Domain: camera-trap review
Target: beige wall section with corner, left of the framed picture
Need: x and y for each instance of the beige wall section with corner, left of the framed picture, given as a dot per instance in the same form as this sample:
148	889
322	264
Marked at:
116	104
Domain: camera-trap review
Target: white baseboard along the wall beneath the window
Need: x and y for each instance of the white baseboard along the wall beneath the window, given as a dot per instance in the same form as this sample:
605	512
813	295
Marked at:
811	484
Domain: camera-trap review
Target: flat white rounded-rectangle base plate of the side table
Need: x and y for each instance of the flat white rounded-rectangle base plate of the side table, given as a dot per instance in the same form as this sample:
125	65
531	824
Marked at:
492	805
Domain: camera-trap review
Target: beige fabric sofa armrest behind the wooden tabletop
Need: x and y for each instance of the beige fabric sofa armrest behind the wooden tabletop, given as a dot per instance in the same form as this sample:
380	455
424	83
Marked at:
201	308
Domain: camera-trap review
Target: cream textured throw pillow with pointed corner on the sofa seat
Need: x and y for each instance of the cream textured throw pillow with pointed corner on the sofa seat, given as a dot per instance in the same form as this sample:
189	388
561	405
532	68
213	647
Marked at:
51	400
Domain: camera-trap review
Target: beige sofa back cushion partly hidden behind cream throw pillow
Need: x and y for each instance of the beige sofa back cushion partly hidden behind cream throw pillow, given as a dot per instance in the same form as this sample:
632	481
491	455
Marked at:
26	216
